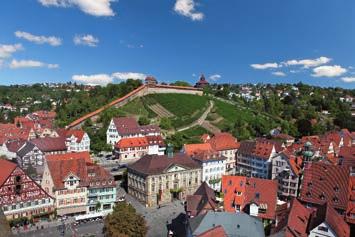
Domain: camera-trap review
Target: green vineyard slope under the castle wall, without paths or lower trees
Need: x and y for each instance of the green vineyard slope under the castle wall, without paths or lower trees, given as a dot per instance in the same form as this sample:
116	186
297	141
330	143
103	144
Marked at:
243	122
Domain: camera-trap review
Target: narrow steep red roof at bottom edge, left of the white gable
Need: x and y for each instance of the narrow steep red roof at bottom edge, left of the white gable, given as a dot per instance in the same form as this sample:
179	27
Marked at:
298	220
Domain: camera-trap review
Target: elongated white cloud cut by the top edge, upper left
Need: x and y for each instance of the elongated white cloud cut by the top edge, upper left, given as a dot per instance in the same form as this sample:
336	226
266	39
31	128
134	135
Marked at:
91	7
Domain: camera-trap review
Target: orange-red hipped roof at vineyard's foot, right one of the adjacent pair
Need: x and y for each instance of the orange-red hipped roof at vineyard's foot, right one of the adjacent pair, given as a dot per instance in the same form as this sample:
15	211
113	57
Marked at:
223	141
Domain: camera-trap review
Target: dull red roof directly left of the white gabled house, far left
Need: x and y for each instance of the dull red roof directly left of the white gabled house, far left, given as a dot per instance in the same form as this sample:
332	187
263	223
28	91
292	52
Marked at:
49	144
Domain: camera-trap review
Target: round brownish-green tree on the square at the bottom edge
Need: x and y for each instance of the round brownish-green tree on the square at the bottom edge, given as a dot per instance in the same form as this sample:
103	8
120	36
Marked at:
124	221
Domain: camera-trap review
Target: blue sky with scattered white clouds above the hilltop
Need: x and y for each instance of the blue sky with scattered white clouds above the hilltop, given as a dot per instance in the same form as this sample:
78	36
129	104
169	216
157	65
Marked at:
236	41
